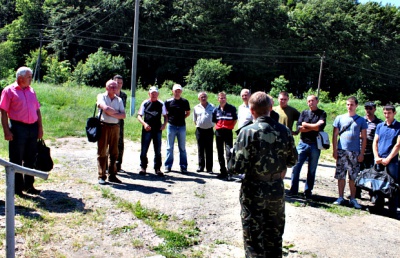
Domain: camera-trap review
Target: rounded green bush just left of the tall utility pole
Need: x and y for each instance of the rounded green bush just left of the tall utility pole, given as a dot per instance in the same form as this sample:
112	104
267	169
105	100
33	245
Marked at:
98	68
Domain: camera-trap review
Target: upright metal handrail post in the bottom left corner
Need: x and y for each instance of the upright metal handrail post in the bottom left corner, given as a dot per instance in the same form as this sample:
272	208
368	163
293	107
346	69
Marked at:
10	212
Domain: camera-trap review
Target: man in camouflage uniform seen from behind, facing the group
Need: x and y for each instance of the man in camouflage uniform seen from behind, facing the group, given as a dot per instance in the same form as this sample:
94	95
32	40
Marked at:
263	151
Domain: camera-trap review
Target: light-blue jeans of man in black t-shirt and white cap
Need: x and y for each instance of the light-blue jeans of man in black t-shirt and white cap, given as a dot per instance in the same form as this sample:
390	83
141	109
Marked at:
180	133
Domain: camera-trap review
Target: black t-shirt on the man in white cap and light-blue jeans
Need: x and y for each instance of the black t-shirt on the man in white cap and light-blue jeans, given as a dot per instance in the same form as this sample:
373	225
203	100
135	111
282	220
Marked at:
176	109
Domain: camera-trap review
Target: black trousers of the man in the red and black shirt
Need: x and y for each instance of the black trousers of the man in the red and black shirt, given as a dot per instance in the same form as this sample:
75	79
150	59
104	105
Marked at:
224	141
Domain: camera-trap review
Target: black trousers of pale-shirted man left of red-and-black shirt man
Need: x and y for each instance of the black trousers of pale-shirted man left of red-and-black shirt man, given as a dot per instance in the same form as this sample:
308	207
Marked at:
205	140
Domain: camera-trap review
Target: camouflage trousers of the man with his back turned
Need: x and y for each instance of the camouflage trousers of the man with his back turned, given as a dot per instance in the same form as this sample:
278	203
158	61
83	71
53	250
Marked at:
263	218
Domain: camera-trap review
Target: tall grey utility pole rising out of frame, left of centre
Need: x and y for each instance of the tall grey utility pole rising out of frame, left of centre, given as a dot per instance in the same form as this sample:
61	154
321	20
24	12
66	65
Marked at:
134	57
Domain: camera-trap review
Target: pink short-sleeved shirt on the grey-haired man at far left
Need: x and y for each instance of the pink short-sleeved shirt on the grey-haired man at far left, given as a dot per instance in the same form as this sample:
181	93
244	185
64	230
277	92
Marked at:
20	104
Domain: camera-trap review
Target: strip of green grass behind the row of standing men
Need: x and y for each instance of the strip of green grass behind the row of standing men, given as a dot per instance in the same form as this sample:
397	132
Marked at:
65	110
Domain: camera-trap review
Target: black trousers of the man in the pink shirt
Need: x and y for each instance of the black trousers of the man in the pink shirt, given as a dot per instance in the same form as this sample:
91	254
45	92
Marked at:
22	151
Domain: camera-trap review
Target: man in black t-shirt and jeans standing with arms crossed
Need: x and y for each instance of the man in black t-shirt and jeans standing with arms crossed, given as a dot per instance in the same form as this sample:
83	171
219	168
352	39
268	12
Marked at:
310	122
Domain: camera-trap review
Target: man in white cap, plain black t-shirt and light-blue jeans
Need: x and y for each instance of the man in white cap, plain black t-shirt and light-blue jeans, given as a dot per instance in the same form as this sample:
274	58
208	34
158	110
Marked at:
178	109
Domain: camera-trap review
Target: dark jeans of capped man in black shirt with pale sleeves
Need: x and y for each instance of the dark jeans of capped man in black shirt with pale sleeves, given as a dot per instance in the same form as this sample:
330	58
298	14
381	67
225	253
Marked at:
147	137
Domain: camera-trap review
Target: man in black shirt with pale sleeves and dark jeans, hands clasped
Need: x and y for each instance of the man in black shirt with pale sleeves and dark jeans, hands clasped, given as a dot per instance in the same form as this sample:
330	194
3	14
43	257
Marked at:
149	116
